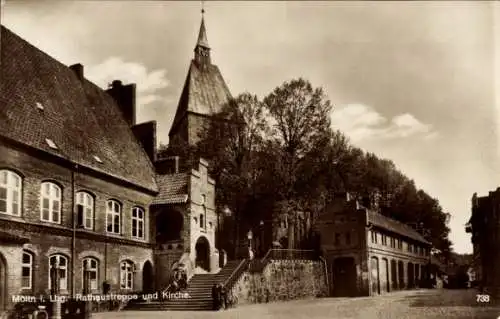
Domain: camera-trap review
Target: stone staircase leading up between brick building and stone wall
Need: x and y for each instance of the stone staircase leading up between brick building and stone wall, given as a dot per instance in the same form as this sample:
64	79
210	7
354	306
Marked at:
199	291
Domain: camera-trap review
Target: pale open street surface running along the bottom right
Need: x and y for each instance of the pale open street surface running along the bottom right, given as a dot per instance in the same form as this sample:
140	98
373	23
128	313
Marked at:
399	305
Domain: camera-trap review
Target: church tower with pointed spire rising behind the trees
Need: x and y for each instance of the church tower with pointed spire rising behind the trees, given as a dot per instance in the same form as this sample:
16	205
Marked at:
204	94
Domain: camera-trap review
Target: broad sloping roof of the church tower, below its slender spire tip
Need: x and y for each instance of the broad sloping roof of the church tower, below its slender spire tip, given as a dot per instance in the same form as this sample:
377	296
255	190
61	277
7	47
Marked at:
204	92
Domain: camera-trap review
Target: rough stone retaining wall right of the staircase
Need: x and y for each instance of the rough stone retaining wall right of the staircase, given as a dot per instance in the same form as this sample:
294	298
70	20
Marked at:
281	280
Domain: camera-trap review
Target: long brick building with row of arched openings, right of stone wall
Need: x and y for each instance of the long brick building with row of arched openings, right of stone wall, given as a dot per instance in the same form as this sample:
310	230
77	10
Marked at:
368	253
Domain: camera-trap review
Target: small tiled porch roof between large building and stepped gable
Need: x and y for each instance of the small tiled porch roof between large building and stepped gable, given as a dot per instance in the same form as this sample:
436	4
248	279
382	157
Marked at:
173	189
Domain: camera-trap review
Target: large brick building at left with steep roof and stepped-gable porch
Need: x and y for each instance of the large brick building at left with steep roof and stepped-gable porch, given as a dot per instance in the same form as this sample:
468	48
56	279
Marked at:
80	184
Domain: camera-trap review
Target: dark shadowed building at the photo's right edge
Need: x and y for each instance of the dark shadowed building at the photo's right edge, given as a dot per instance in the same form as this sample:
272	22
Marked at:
484	227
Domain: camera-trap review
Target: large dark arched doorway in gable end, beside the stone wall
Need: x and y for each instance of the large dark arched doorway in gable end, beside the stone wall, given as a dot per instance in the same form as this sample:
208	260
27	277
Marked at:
344	277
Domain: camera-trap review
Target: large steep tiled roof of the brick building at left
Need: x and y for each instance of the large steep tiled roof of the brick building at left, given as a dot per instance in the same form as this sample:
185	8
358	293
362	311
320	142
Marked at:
40	98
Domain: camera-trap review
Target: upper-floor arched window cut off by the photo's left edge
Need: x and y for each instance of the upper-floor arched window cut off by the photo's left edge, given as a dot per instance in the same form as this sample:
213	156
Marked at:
10	193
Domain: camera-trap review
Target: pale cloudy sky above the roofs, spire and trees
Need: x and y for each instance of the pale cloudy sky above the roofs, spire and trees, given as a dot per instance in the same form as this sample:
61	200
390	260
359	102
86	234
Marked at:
413	82
